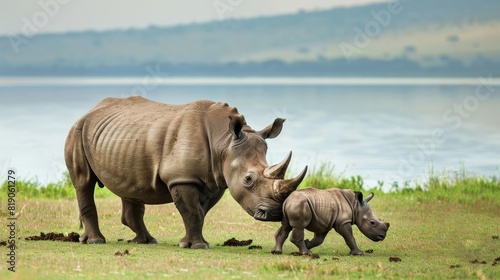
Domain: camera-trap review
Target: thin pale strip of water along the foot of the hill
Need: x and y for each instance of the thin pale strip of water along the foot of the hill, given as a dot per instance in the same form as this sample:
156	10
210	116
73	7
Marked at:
7	81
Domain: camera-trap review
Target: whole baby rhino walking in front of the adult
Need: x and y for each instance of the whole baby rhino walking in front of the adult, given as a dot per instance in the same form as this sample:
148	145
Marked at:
321	210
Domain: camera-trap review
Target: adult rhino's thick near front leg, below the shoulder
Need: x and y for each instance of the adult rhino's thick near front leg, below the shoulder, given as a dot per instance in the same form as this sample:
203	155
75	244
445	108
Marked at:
187	201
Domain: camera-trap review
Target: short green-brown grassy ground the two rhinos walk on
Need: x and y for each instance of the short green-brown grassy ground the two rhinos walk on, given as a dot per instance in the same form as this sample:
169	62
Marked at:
435	231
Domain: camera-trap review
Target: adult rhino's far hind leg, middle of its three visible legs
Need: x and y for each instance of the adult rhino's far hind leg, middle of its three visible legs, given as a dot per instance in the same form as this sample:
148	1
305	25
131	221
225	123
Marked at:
133	217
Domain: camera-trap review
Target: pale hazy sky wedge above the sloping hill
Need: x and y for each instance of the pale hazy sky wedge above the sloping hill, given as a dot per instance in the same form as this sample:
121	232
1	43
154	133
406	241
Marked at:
71	15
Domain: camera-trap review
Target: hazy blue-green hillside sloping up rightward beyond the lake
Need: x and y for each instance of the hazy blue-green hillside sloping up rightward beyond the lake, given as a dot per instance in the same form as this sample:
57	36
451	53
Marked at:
403	38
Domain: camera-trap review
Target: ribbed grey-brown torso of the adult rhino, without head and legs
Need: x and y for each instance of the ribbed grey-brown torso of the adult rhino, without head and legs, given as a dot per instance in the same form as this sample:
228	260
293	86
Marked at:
137	147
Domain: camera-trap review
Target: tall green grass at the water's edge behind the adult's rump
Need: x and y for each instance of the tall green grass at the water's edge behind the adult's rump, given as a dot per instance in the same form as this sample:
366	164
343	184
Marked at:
54	190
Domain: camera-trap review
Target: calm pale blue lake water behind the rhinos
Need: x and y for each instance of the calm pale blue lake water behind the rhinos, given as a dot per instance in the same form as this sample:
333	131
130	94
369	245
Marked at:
380	129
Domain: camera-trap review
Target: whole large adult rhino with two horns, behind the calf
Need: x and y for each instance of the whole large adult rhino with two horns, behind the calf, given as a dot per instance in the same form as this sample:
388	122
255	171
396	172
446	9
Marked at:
152	153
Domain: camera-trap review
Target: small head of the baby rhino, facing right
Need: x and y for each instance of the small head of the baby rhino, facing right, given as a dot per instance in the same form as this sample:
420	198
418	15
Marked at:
371	226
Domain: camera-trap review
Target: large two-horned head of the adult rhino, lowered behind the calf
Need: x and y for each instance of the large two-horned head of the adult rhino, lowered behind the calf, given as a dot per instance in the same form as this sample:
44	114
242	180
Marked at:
260	189
